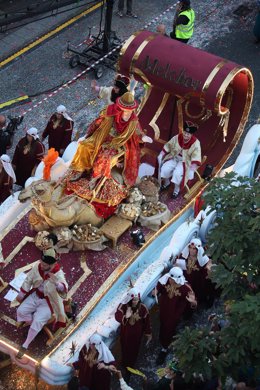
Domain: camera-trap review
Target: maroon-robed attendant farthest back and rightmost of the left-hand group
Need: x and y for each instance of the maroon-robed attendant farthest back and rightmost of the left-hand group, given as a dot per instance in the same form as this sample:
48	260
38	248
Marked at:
59	130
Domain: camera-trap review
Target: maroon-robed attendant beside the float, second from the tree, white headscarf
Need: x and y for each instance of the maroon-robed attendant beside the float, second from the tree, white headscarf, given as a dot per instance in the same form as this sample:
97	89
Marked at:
175	295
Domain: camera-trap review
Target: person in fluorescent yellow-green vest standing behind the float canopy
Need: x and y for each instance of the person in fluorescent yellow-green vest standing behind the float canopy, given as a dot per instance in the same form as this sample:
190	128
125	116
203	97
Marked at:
183	23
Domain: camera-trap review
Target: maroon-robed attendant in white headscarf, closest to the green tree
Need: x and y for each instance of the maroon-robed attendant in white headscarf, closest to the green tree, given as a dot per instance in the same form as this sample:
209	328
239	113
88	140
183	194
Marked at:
196	266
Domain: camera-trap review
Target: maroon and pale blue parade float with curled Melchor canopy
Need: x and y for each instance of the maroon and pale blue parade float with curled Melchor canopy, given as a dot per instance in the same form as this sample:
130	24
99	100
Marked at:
183	83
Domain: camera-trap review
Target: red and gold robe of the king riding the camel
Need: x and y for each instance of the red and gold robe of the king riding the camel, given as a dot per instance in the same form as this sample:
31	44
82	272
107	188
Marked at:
108	135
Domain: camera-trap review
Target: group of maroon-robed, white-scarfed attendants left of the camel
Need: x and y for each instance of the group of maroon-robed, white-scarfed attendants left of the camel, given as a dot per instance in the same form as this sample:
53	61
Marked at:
30	149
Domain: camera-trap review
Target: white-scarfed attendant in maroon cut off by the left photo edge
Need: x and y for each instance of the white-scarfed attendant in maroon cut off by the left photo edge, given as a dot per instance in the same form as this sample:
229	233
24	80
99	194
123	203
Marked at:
7	177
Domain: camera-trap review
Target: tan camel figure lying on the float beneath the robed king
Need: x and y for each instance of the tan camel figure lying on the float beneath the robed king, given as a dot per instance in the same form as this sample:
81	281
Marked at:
51	208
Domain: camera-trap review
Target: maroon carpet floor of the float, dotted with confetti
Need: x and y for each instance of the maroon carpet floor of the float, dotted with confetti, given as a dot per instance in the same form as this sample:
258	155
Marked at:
101	264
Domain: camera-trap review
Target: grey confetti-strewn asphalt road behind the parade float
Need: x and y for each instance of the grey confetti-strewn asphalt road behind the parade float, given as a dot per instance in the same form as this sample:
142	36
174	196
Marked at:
218	30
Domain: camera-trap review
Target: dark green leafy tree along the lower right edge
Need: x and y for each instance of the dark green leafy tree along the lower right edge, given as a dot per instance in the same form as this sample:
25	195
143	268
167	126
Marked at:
235	246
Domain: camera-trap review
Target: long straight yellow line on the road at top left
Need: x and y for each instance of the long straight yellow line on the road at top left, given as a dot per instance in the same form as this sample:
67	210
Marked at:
49	34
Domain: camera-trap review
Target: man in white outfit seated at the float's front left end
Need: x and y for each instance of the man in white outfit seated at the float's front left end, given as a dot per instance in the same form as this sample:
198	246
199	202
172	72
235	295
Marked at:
41	297
